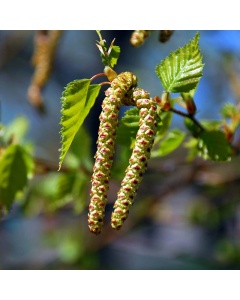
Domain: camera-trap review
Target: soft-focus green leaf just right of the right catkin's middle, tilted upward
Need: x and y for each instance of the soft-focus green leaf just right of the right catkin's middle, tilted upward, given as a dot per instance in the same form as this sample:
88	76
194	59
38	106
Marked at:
170	143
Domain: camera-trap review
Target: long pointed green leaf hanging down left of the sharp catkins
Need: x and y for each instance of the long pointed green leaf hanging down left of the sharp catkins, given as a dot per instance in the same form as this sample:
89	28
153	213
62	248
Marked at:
77	100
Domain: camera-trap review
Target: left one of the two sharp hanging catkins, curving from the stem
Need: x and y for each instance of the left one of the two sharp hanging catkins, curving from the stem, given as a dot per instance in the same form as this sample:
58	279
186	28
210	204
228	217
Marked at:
105	148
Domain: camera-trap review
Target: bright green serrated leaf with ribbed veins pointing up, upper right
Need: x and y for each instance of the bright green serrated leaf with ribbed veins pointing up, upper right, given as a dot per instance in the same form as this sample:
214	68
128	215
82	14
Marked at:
182	69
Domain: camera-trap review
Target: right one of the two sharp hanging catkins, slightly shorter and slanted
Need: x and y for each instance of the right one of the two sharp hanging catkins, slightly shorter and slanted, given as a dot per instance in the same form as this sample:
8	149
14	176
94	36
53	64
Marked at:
140	155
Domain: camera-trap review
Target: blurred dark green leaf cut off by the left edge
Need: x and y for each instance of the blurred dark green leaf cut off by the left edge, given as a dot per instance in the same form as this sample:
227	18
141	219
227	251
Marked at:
16	167
